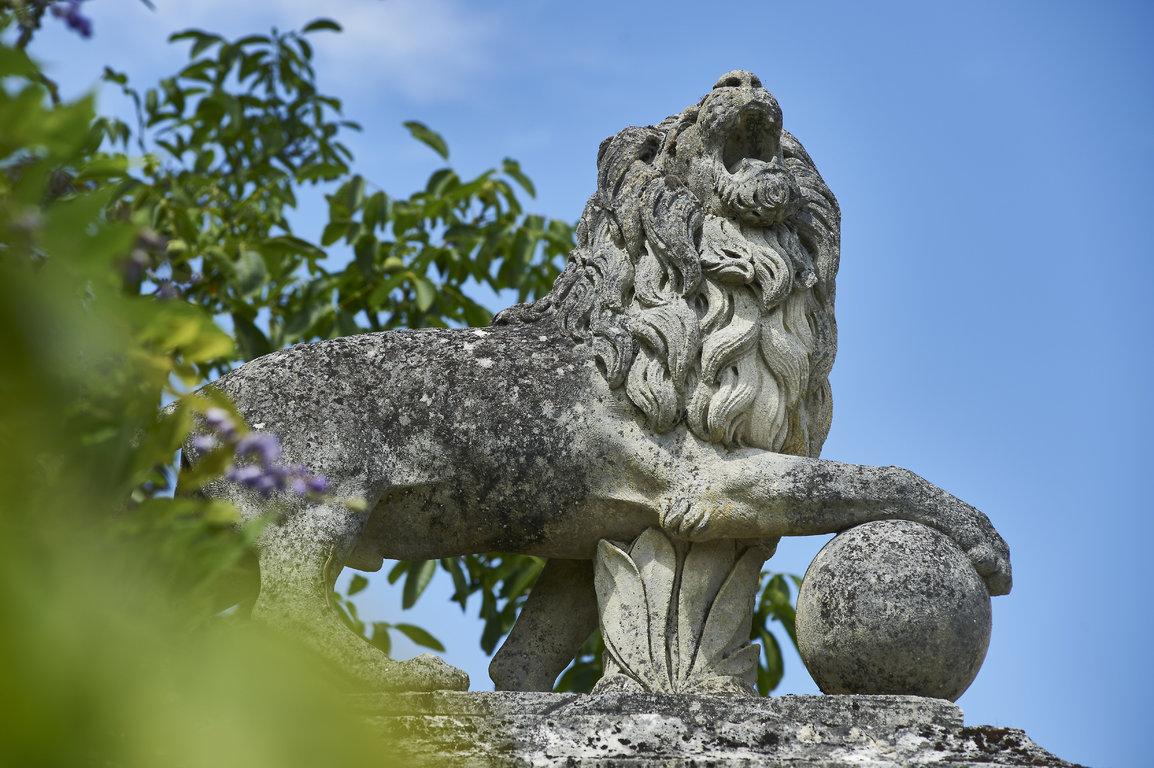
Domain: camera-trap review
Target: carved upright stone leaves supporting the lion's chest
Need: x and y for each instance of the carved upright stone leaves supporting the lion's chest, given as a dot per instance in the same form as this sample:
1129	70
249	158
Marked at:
676	615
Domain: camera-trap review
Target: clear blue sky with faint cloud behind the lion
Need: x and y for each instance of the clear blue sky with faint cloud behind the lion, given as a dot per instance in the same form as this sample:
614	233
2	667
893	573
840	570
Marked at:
994	163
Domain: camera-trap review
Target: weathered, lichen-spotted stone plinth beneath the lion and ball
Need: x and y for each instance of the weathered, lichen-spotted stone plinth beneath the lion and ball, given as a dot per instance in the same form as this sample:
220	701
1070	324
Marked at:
650	729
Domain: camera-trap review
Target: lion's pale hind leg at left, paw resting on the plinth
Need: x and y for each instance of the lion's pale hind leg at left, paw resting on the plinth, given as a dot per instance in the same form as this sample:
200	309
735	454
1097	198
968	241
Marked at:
301	559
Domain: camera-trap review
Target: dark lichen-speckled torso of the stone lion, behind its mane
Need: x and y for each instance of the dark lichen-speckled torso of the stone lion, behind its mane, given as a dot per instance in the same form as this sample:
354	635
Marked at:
485	436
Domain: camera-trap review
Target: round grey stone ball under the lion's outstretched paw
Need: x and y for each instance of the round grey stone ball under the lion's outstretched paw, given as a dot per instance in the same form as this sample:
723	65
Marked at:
893	607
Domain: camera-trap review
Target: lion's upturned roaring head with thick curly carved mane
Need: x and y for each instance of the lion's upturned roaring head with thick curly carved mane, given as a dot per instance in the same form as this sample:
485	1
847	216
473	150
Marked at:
703	276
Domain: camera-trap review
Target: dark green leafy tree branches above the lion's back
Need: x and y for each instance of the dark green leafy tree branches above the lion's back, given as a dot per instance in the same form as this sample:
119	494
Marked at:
234	139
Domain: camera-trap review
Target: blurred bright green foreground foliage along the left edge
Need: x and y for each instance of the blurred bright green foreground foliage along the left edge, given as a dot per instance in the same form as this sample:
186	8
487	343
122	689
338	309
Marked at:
109	653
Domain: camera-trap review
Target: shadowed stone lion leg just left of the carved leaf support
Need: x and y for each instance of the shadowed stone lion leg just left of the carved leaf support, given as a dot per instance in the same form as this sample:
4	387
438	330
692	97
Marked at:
557	619
